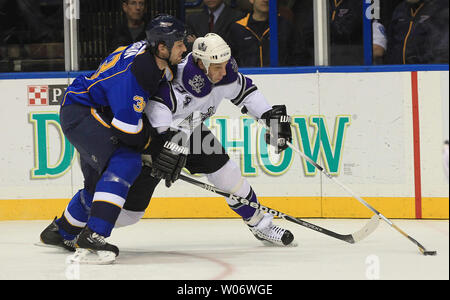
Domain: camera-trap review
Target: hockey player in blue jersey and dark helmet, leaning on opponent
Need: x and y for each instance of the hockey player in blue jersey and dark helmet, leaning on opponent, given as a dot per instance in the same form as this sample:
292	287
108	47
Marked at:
102	115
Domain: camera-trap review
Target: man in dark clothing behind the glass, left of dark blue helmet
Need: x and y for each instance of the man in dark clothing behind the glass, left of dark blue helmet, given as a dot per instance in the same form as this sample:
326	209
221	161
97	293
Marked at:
133	29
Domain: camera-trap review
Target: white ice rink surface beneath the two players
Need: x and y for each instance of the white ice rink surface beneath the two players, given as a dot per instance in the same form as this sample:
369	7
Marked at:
224	249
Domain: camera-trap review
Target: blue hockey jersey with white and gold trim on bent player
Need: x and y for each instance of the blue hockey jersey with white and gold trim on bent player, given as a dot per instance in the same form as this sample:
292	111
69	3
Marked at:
123	82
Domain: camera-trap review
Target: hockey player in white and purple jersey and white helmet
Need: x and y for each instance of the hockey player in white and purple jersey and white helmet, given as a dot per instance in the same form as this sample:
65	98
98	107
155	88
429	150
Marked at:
208	75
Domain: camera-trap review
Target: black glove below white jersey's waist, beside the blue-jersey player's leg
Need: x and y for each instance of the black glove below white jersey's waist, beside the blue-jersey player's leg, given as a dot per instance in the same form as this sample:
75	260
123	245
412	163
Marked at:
170	160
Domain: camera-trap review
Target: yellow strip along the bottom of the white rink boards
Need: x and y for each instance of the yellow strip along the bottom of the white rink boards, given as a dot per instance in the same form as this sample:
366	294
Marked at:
216	207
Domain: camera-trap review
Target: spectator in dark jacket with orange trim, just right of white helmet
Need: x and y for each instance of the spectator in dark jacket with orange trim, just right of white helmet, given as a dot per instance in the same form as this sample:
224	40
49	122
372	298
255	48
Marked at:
250	39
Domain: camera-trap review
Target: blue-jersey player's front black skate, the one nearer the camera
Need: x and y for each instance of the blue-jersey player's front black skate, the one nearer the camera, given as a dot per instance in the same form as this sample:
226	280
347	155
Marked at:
91	248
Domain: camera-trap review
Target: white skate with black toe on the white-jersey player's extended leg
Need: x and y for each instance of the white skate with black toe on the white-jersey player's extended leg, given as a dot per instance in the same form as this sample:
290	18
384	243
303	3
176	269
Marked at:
270	234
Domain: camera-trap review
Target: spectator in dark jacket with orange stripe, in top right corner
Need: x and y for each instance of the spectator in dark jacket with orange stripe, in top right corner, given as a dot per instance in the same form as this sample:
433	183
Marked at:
418	33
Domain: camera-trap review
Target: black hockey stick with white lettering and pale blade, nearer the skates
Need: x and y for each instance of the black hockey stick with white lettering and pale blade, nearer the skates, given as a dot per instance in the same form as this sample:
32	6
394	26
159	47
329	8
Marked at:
349	238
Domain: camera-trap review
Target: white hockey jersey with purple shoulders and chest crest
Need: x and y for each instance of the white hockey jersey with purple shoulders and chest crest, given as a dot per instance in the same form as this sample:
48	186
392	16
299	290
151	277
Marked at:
191	98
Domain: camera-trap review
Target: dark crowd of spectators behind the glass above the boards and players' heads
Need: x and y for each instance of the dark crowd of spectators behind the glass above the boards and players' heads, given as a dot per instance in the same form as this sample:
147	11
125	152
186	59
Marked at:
404	31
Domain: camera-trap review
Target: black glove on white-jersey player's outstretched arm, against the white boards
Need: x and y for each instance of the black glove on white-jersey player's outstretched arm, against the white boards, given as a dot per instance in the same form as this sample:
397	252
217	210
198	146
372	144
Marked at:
279	124
